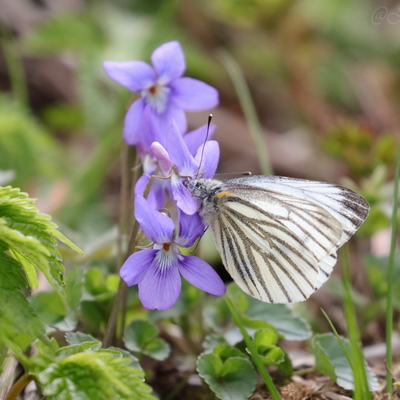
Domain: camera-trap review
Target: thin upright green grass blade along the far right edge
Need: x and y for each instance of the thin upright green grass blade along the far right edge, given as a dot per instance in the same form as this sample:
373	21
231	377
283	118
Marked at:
389	305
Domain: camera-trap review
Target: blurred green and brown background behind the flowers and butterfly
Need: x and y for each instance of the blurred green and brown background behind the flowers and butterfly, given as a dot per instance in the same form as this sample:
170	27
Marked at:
324	77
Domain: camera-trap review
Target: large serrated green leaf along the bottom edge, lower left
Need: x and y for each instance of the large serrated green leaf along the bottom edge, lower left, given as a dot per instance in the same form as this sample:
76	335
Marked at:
88	375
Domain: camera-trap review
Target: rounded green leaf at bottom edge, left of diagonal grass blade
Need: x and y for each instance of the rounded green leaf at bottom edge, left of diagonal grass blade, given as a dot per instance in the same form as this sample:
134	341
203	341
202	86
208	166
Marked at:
232	379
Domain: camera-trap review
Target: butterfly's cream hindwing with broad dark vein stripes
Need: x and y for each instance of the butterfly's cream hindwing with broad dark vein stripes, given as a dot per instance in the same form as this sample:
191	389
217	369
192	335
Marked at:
267	256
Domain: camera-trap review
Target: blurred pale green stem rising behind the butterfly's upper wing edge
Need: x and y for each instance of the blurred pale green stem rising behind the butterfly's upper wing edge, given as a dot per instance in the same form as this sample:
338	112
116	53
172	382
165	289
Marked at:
249	110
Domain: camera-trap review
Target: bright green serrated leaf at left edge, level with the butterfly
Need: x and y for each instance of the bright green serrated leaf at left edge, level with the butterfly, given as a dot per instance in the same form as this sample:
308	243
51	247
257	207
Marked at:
30	237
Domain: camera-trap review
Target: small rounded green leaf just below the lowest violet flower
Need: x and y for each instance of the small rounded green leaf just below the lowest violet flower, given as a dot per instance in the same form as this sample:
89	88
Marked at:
141	336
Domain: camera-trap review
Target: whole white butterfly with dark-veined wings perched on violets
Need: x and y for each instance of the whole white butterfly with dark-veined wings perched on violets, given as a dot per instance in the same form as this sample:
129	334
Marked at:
278	236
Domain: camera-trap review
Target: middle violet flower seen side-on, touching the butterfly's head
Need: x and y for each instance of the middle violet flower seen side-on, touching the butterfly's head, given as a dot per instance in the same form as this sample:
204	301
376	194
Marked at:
184	152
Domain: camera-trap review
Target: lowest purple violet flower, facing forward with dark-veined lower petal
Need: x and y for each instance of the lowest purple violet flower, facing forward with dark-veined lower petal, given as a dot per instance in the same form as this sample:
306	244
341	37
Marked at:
157	270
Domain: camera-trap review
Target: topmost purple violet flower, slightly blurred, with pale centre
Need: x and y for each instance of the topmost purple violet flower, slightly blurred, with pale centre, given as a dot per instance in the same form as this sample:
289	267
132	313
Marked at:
162	88
